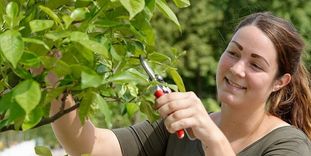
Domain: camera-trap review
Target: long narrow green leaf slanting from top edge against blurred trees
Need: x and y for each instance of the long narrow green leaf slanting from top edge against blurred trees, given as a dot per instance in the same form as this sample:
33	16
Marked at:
166	10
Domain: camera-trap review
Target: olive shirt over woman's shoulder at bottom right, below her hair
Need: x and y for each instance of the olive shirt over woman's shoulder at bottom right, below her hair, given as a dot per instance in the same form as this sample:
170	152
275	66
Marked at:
285	141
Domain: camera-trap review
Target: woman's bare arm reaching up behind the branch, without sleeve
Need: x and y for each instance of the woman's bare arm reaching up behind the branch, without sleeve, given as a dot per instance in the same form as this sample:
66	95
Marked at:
78	139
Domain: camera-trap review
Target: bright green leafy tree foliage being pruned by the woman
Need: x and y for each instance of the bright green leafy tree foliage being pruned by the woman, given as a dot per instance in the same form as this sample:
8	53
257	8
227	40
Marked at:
87	48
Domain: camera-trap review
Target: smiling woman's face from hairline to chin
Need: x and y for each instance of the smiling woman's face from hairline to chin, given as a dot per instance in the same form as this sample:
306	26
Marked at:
247	69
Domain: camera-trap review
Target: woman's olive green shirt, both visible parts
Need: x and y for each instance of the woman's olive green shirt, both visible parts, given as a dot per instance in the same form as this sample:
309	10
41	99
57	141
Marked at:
152	139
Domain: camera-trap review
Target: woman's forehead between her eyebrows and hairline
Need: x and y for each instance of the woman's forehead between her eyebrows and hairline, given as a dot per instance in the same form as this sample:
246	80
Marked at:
254	41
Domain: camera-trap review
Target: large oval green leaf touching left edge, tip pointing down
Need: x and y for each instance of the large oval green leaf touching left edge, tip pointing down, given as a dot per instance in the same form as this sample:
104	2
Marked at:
12	46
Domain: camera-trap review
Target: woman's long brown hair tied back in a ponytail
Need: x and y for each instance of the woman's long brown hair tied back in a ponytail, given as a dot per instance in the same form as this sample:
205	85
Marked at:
292	103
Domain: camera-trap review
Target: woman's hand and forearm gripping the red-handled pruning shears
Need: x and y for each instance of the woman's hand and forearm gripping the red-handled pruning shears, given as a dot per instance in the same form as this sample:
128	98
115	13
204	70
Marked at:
184	111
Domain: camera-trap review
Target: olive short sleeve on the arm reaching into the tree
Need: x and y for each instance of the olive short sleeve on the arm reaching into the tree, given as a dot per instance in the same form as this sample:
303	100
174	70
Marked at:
143	139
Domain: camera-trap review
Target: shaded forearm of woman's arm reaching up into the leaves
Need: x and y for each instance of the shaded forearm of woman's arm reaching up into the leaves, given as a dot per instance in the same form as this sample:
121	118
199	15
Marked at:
74	137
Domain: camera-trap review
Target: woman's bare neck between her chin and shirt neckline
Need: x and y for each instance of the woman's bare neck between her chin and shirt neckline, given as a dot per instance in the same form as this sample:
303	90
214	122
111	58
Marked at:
239	123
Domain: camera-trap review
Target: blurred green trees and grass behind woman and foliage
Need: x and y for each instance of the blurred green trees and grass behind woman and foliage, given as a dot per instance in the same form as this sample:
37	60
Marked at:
207	27
